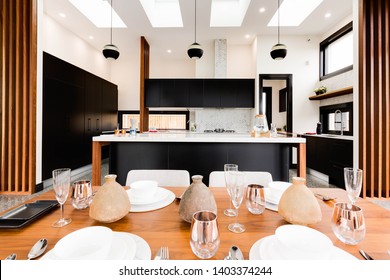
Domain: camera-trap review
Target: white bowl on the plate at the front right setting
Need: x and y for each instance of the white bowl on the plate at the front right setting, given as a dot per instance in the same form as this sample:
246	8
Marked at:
301	242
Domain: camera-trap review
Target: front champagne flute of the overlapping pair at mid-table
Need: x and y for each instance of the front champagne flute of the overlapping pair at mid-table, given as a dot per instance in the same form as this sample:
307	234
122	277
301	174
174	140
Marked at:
237	190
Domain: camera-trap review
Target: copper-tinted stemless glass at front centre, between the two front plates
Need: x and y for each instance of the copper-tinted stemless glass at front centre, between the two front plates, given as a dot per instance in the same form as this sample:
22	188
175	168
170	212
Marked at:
204	239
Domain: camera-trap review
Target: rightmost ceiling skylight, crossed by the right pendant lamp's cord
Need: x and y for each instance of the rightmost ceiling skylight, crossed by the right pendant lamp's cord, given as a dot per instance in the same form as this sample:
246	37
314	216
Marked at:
294	12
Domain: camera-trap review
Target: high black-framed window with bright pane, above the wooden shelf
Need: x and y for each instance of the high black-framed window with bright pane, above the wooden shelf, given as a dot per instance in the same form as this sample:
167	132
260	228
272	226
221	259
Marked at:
336	53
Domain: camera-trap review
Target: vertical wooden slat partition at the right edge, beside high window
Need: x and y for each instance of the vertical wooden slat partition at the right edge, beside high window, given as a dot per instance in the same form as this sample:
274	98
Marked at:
374	97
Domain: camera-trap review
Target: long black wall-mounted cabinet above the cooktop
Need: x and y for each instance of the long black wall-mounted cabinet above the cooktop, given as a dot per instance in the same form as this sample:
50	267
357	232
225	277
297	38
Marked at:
195	93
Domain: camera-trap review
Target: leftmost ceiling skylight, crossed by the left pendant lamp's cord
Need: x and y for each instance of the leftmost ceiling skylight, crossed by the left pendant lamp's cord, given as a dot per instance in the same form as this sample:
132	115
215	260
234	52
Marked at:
99	13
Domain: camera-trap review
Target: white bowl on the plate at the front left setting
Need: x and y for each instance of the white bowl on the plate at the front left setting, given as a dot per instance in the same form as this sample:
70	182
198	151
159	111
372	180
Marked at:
90	243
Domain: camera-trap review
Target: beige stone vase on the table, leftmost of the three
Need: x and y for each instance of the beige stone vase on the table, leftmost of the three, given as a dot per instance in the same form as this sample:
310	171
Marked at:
111	202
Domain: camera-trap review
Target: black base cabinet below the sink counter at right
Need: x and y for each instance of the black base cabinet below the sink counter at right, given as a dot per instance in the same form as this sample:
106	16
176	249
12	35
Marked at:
329	156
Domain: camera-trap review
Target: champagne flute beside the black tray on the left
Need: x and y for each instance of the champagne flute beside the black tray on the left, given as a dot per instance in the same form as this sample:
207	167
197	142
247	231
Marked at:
61	184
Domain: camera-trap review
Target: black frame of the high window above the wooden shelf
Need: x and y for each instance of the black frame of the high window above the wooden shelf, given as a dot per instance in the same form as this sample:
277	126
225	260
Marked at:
323	52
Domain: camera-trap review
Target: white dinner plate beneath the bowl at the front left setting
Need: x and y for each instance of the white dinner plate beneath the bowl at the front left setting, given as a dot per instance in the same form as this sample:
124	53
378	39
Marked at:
136	248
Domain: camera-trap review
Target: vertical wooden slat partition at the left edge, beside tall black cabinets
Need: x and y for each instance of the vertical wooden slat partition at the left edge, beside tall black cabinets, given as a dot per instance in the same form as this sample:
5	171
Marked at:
18	19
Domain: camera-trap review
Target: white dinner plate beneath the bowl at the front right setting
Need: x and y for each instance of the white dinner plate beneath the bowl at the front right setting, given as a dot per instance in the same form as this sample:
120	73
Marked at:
255	252
